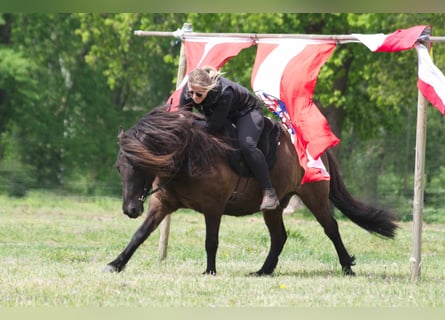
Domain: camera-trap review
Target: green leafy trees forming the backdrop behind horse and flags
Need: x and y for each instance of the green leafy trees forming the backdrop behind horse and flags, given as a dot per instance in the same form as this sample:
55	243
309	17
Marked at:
69	81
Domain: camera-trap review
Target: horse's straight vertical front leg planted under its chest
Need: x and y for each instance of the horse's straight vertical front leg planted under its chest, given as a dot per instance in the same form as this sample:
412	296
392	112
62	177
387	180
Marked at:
213	222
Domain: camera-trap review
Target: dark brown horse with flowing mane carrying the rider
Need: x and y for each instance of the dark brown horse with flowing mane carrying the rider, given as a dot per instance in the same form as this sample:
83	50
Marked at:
188	168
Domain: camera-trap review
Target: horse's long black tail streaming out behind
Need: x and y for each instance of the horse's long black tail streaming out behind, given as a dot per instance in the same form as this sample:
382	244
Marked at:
369	218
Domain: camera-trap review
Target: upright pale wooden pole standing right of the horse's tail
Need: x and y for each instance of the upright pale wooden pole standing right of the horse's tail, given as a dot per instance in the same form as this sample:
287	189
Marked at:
419	177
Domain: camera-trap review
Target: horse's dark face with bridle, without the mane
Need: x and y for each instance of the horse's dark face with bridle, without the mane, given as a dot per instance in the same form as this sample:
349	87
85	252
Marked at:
135	185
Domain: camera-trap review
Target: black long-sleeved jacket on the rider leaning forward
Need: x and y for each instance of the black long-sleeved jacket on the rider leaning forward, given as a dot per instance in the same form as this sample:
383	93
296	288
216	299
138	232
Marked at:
226	102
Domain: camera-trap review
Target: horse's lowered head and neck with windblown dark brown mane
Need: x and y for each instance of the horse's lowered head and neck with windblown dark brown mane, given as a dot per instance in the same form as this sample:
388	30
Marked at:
162	144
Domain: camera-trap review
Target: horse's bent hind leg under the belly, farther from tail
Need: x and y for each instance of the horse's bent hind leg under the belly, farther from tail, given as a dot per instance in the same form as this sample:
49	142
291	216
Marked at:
278	237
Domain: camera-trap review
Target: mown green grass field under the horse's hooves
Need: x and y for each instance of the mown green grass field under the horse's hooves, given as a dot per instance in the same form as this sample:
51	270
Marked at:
53	250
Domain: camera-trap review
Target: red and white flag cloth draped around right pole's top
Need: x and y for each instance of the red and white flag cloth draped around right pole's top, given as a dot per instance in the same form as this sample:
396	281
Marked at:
431	81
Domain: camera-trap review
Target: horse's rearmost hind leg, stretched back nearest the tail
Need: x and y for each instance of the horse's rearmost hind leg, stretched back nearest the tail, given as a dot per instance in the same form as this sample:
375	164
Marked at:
315	196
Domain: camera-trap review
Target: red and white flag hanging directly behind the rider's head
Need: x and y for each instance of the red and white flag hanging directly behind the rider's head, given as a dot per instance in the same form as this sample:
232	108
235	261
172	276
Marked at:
213	52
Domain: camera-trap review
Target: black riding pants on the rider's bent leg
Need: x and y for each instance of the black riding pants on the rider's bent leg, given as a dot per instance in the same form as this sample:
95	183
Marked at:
249	127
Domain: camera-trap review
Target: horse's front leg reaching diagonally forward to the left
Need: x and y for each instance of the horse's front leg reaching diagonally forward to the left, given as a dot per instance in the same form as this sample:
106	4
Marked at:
155	215
